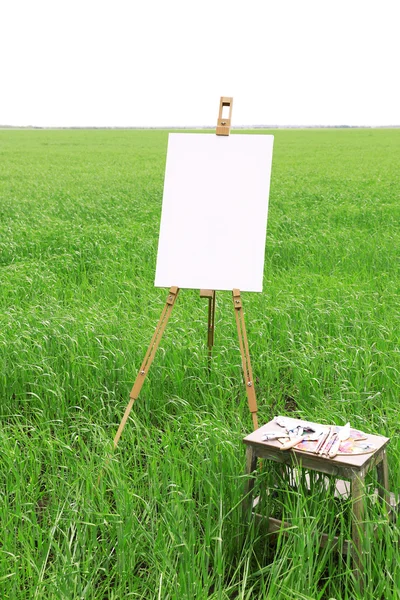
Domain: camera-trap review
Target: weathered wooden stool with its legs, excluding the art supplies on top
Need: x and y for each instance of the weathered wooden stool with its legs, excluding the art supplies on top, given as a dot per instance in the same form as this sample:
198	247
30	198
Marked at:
352	468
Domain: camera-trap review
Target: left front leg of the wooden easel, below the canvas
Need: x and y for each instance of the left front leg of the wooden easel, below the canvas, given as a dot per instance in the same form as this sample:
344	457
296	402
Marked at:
148	359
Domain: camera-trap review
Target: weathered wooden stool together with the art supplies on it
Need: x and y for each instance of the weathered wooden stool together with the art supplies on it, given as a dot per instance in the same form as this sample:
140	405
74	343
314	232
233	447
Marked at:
340	452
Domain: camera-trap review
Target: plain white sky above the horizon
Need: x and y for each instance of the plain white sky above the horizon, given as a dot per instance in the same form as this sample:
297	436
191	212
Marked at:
155	63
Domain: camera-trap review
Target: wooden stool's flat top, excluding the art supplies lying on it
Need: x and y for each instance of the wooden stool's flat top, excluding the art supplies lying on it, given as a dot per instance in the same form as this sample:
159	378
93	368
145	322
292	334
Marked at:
349	462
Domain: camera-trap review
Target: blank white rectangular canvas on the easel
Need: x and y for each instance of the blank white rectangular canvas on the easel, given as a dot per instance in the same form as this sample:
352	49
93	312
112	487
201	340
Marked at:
214	212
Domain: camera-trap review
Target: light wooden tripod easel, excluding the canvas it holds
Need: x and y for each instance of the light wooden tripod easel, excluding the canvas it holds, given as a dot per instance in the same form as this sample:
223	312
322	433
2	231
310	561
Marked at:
223	128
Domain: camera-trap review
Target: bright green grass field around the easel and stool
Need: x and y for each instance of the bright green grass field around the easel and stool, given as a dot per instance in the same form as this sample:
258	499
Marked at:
79	221
